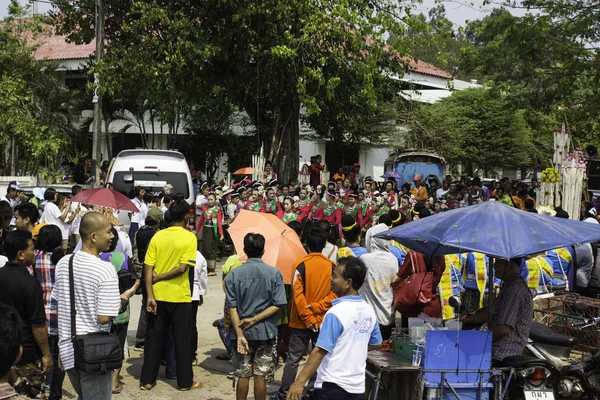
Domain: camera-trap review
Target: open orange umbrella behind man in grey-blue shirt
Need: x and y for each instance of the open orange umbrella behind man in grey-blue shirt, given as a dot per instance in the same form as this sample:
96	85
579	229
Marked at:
282	245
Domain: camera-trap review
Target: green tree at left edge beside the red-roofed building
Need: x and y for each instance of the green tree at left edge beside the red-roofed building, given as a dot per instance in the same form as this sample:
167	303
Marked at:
35	110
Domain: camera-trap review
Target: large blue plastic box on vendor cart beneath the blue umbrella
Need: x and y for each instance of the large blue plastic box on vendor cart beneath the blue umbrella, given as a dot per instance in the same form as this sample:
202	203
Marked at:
473	353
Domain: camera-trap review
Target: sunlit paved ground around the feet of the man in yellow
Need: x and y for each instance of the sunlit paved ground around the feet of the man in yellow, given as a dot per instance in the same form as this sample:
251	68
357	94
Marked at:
210	371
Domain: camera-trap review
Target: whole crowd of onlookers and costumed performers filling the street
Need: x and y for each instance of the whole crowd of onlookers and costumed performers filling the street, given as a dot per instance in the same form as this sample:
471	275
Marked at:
341	298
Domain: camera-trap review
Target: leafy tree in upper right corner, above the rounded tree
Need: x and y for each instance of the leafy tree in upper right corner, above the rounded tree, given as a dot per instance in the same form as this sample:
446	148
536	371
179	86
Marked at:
538	69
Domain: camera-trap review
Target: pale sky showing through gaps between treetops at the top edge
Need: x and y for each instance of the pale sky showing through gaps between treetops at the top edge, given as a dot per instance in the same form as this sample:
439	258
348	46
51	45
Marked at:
456	10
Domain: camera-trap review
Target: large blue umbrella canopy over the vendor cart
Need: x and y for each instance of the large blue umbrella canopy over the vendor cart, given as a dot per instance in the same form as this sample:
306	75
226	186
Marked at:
494	229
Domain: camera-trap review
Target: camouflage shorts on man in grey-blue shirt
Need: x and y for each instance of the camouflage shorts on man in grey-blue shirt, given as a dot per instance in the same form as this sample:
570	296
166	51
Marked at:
259	361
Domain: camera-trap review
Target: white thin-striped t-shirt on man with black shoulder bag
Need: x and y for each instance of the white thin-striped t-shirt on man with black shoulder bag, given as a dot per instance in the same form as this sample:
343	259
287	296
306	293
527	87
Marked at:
96	293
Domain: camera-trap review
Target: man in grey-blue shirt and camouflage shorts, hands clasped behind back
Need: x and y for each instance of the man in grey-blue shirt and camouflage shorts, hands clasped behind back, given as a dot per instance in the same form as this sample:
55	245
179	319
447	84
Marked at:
255	292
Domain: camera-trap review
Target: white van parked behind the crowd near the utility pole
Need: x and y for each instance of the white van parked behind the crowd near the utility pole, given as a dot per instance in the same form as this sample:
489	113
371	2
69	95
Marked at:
152	169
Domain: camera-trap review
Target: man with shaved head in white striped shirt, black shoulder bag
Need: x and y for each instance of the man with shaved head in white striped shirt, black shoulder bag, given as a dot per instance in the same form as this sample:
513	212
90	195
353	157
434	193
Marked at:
97	302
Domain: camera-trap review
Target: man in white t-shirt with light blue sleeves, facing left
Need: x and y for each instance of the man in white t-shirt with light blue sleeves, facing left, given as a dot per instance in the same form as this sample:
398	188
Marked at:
348	332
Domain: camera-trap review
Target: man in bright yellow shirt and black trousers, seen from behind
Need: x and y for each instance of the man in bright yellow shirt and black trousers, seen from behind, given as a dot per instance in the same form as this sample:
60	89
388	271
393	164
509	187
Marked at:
170	258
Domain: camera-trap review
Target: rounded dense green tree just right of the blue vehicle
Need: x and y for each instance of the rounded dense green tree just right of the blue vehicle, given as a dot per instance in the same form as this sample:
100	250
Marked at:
477	128
